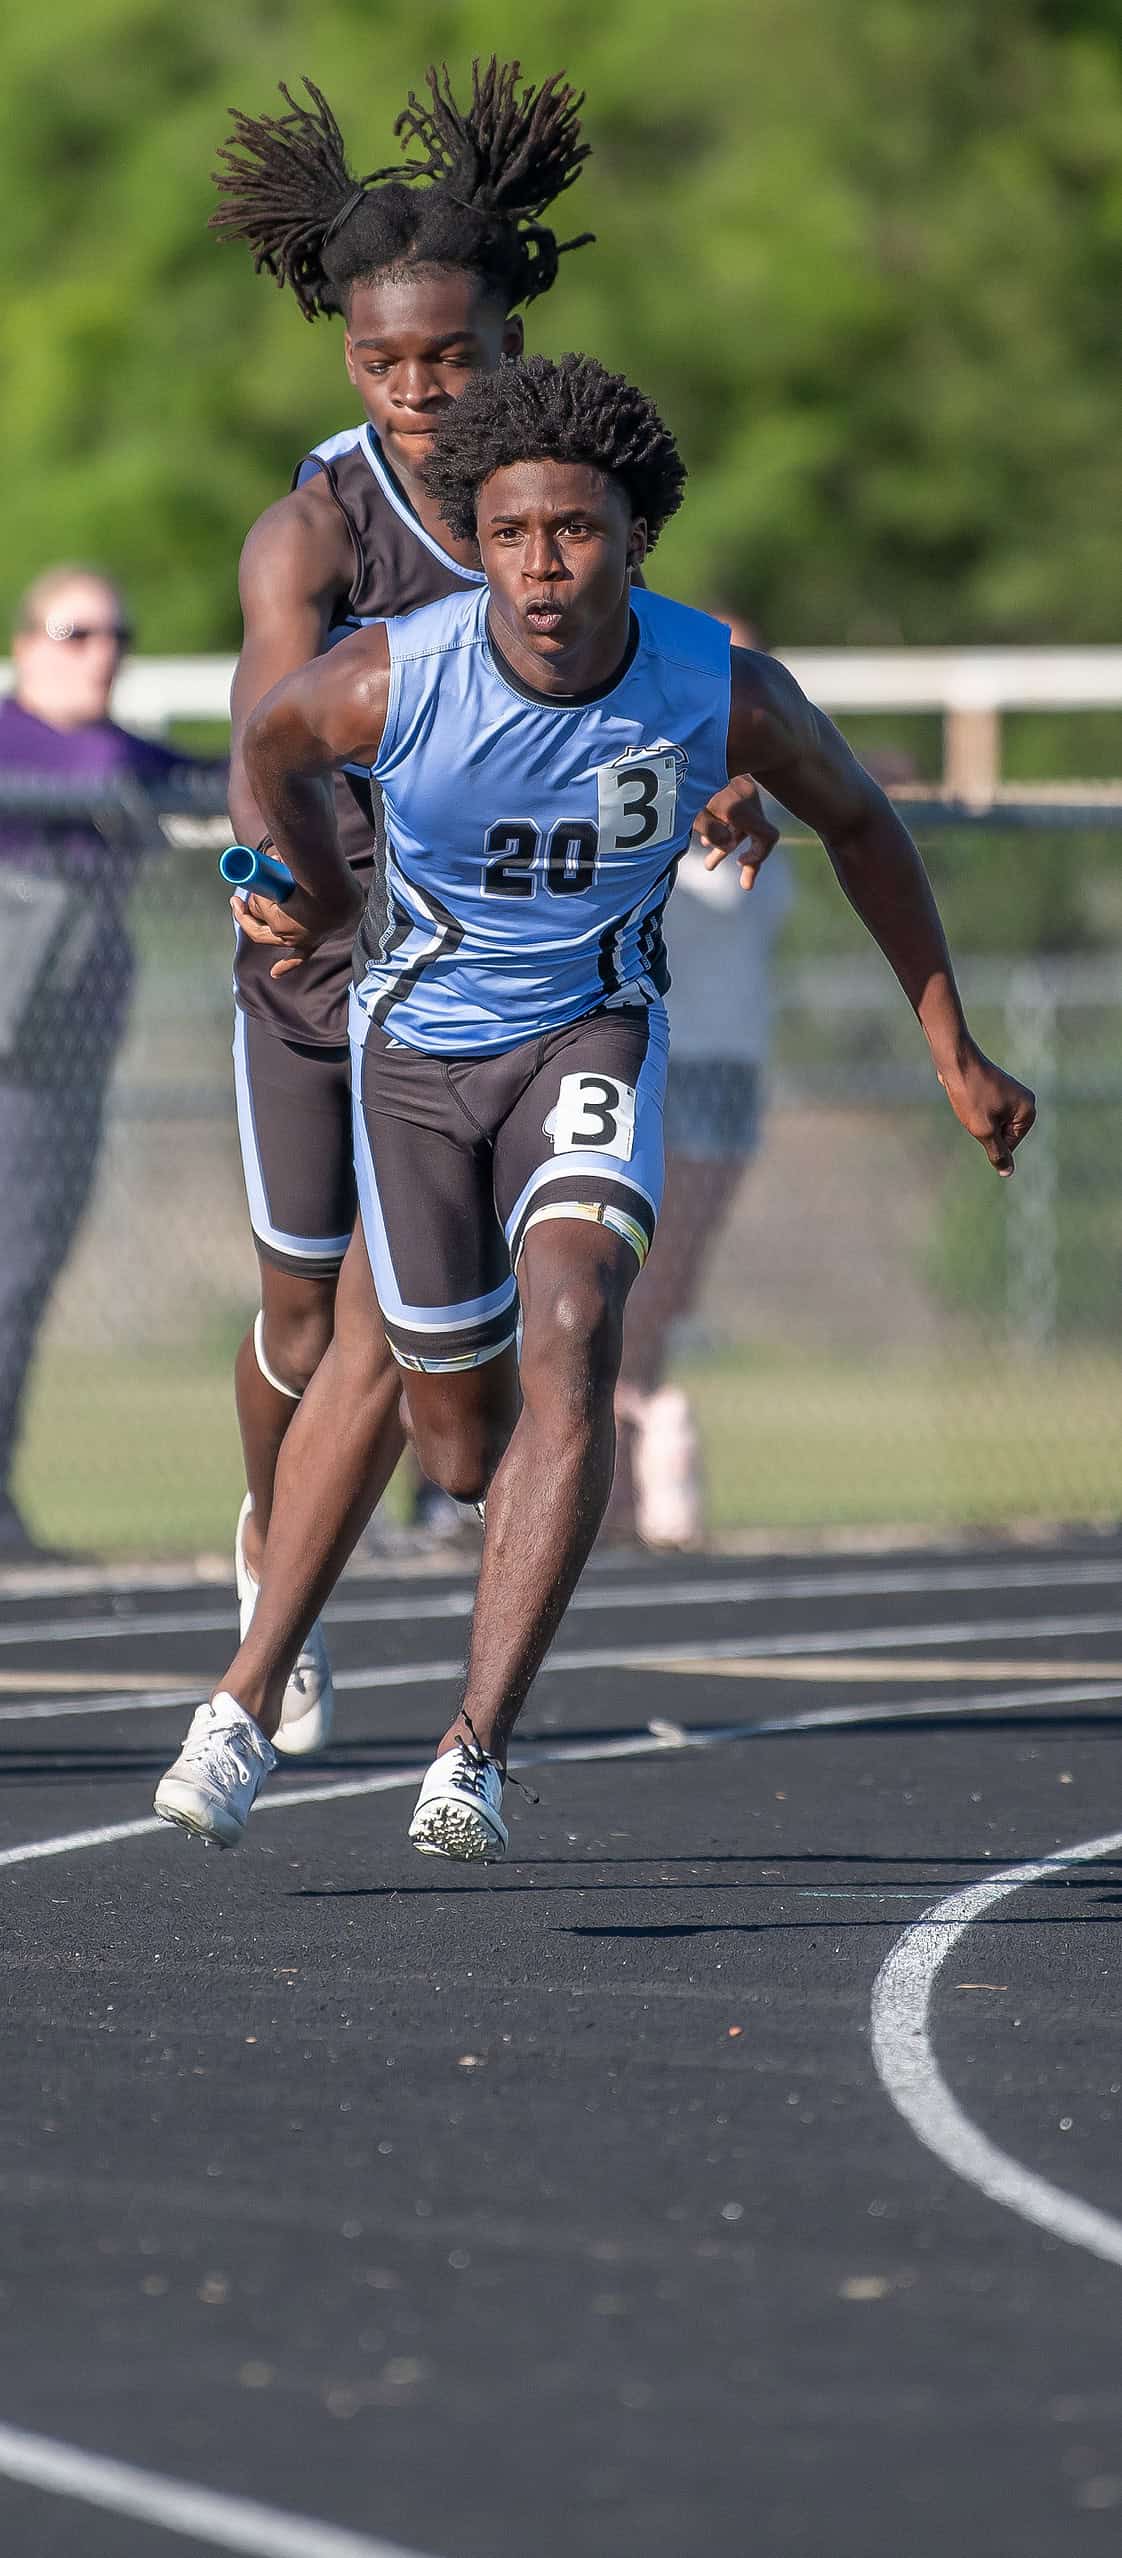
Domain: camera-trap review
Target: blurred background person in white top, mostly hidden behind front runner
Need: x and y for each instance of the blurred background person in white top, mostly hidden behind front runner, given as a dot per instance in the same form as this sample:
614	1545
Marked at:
719	945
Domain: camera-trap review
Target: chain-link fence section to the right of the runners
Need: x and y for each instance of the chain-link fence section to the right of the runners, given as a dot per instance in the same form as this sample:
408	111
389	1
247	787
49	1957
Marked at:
888	1331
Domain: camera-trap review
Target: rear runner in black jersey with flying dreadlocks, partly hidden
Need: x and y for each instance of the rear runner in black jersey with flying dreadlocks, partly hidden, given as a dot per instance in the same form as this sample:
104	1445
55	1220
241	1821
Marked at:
428	267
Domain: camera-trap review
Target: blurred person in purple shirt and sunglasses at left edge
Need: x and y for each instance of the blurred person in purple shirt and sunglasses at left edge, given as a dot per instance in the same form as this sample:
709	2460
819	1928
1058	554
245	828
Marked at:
68	961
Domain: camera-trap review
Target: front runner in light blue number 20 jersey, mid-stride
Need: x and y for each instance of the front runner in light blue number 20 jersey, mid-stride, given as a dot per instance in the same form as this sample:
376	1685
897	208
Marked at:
541	753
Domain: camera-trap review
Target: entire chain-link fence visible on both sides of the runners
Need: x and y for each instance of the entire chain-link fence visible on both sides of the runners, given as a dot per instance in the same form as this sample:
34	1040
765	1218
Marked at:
870	1326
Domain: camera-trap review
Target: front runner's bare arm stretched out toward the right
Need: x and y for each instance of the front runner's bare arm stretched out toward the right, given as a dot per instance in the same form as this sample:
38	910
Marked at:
804	761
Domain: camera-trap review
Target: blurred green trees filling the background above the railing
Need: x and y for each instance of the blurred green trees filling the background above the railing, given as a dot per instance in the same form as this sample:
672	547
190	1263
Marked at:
865	255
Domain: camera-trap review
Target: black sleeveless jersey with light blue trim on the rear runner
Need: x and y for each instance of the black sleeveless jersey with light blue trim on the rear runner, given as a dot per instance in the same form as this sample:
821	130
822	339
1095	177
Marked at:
397	567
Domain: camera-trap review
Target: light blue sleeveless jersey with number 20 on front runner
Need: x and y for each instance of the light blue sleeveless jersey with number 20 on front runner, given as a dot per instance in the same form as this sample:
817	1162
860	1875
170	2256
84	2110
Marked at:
533	845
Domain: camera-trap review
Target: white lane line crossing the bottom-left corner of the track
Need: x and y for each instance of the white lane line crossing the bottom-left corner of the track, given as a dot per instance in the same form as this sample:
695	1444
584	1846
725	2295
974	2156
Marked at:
193	2513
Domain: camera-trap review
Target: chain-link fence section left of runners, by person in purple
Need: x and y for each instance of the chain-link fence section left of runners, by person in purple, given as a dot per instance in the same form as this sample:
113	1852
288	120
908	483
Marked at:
116	1073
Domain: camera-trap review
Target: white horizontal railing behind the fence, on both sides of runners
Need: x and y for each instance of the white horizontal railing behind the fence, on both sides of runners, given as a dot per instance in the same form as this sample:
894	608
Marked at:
967	687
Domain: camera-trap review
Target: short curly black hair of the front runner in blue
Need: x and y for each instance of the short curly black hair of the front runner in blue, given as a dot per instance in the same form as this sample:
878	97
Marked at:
569	413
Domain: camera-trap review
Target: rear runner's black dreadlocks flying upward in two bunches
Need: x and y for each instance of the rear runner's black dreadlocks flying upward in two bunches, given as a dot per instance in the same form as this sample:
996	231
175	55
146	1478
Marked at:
474	198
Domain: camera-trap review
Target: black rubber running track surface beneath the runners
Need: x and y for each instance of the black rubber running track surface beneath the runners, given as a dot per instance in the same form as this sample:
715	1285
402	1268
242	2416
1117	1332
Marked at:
556	2209
